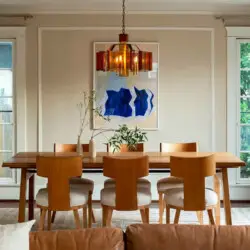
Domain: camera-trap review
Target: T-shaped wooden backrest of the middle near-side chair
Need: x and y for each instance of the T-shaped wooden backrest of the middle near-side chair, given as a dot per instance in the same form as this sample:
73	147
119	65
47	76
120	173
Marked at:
126	171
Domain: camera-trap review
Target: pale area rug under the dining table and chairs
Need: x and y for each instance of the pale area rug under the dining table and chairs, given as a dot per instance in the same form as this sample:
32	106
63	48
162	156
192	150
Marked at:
65	220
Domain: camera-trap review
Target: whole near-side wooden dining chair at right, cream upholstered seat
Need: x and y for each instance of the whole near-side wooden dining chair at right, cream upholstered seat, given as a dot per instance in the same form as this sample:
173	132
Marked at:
193	196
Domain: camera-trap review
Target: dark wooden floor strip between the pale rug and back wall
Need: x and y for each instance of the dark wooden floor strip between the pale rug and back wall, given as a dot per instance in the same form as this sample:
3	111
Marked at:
96	204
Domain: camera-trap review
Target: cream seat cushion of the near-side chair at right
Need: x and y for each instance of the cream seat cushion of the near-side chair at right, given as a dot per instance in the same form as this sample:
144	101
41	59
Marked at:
175	197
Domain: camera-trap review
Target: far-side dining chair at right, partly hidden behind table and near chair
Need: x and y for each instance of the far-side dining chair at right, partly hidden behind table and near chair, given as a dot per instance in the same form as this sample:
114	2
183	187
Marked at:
172	182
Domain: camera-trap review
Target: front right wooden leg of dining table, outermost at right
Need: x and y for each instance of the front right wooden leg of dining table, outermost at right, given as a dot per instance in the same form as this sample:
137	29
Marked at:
227	204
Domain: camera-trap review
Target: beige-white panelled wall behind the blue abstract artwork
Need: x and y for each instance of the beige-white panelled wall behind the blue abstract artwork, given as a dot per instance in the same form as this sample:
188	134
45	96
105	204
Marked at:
192	77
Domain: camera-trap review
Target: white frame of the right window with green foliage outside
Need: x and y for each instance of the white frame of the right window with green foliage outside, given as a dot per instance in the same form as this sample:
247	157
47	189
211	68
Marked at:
235	36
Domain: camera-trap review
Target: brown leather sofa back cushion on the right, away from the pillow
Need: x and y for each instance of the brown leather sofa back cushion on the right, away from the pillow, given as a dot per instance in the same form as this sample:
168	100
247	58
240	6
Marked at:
187	237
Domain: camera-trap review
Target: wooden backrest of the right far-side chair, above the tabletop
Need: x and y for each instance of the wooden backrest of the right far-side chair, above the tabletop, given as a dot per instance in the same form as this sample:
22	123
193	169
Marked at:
179	147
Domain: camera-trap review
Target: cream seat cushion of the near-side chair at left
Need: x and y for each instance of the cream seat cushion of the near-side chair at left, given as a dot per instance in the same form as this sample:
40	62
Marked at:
78	196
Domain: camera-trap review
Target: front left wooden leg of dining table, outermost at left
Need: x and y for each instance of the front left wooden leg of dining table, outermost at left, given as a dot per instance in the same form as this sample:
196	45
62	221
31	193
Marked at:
22	198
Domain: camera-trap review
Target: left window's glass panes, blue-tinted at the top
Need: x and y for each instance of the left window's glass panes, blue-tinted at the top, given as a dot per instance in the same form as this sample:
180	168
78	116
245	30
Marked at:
6	104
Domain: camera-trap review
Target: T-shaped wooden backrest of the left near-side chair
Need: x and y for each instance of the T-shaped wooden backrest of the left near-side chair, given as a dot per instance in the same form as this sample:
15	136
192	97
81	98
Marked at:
58	170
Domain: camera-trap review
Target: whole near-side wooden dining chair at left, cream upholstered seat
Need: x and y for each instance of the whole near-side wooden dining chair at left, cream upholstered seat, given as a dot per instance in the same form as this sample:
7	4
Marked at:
60	195
